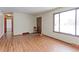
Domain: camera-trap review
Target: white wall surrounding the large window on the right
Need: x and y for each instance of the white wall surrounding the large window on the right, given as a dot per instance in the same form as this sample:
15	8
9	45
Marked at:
47	27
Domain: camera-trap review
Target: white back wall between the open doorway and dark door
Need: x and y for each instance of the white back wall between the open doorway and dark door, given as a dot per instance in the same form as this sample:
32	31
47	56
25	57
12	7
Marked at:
23	23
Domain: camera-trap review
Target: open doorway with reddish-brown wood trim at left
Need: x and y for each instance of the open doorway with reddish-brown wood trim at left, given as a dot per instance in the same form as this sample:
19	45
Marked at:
8	23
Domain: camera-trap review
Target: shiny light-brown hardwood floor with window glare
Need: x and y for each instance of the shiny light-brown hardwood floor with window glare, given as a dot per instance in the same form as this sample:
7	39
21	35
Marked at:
33	43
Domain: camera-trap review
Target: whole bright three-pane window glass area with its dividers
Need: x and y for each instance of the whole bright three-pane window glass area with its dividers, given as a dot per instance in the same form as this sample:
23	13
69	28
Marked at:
67	22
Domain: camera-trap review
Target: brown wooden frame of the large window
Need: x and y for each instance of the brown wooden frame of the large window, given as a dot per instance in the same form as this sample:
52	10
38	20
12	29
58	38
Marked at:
59	22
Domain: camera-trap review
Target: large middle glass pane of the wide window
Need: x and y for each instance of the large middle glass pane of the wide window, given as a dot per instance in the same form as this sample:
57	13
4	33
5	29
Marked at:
67	22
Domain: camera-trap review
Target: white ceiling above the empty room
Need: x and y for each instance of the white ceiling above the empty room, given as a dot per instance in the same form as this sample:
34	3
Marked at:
29	10
